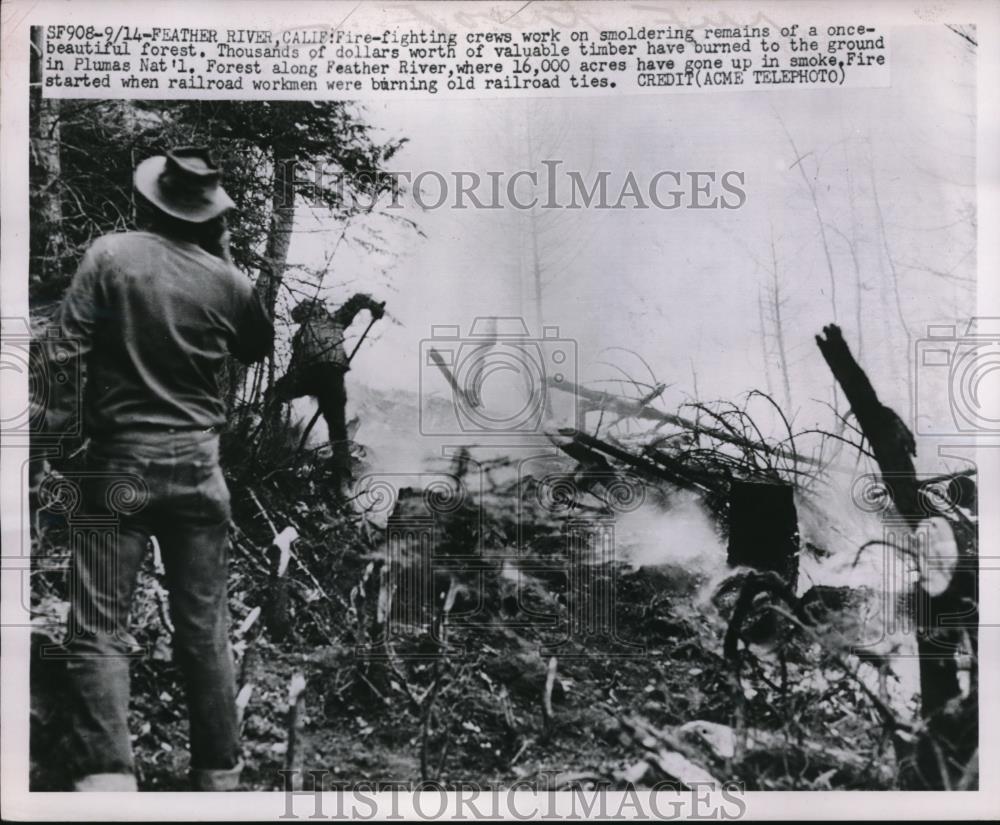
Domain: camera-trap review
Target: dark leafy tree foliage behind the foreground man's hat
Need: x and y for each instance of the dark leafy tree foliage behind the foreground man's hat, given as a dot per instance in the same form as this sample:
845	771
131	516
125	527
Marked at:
270	153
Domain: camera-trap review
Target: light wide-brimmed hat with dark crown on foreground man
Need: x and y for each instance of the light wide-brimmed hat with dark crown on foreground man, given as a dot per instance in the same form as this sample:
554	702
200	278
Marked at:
184	183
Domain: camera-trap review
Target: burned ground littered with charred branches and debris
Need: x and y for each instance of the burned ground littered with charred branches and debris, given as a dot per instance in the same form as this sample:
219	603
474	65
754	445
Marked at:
494	664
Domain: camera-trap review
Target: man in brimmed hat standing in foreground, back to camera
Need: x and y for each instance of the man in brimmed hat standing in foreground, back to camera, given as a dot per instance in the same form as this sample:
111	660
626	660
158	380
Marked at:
155	314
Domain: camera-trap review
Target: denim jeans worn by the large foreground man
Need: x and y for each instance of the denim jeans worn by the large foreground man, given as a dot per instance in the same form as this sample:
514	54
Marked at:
185	505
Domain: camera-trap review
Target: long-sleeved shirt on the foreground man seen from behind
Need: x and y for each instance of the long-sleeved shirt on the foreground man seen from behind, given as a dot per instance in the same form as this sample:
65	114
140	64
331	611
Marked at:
153	319
